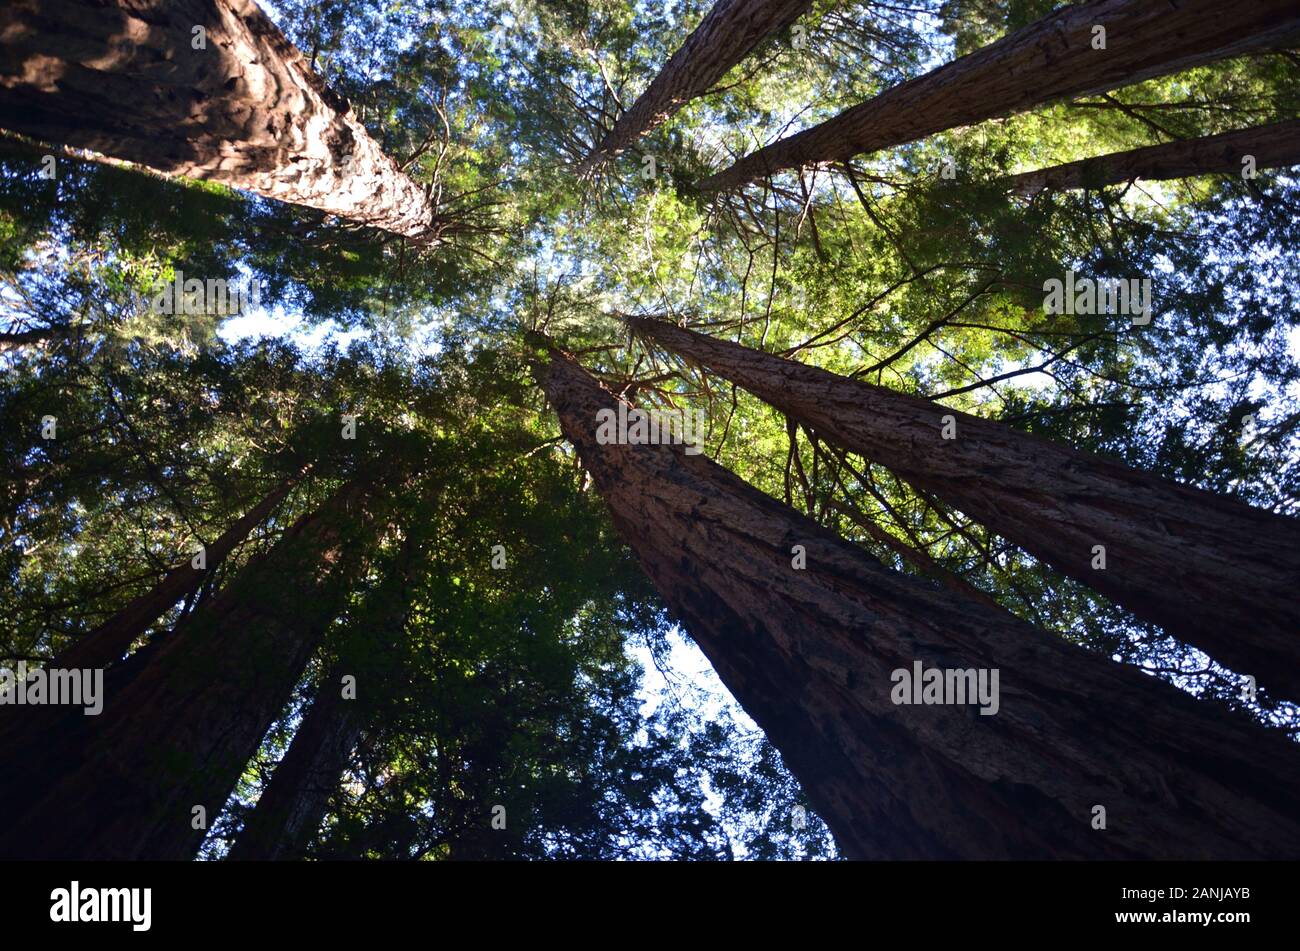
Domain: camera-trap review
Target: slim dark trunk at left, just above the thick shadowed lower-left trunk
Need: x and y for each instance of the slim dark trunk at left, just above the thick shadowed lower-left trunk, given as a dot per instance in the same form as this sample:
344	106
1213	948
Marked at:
107	644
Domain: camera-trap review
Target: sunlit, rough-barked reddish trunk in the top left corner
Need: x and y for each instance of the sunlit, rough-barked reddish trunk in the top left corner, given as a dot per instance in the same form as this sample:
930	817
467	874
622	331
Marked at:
201	89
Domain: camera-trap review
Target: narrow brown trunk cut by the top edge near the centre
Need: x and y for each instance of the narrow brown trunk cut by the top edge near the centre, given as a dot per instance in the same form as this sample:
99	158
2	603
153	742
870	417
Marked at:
725	37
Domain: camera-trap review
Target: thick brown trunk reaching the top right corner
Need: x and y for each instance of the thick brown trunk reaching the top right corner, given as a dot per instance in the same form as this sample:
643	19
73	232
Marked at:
1047	60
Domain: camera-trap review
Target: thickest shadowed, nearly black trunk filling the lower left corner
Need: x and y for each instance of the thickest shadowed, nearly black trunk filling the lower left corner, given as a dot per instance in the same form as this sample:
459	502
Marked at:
180	726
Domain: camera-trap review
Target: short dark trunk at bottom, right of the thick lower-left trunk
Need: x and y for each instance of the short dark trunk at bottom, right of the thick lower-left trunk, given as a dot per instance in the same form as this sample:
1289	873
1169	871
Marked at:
293	805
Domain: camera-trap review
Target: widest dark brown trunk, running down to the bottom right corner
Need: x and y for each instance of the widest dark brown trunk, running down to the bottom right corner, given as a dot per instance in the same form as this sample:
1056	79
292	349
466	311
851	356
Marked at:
811	655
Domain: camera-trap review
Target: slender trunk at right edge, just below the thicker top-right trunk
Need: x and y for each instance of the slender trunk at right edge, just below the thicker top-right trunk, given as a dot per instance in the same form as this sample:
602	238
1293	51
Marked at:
1275	146
